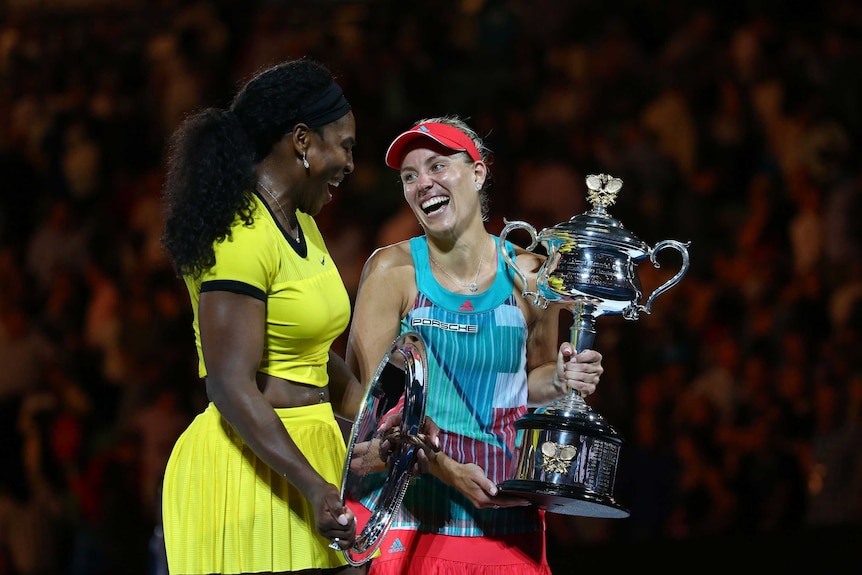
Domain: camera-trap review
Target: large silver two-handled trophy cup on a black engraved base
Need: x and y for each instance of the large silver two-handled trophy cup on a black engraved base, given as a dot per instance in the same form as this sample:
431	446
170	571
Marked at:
568	453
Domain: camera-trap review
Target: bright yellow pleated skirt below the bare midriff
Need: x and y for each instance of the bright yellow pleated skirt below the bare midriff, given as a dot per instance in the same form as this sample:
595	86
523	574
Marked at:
226	511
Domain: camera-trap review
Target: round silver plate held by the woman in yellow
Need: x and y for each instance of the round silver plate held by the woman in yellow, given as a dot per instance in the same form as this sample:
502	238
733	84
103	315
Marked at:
375	479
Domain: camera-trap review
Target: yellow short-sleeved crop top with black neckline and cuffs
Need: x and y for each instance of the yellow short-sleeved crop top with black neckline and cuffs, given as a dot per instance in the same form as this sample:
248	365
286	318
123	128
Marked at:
307	305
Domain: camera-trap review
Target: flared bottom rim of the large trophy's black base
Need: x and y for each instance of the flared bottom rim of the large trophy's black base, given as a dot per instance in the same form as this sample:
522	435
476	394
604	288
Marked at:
565	500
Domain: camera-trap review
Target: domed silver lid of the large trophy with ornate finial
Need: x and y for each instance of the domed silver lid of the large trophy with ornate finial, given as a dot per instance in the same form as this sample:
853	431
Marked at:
596	227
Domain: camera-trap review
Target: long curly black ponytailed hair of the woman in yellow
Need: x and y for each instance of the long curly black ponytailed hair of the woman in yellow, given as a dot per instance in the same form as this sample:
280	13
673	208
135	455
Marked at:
212	156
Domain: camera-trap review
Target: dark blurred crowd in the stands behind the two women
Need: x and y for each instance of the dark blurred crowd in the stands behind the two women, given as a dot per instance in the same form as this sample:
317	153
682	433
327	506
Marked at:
734	125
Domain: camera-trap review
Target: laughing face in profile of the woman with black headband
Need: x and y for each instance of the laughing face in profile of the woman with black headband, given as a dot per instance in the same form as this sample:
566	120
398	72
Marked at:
330	159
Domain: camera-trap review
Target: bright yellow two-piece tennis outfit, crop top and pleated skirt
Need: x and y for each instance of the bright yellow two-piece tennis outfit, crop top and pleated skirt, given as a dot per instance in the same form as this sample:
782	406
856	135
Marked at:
224	510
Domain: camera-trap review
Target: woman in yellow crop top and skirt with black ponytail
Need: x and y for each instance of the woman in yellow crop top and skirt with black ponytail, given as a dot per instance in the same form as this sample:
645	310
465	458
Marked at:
253	484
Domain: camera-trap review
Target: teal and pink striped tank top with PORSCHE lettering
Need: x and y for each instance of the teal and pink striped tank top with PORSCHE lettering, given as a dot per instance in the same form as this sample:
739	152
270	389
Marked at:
476	347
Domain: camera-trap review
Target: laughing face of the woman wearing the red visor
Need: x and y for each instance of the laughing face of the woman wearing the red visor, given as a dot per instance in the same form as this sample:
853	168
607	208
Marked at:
441	188
